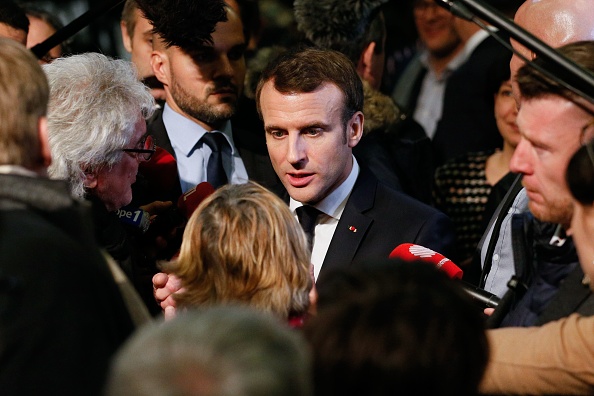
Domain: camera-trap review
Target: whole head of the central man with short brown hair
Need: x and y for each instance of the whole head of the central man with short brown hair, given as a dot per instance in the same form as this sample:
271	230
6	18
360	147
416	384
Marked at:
311	101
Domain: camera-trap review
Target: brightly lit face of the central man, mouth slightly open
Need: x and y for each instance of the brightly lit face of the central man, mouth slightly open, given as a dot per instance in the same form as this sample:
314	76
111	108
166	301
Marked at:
308	145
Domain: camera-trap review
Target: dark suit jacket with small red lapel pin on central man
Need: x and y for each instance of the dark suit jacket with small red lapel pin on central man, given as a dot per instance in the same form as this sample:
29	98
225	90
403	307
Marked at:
376	219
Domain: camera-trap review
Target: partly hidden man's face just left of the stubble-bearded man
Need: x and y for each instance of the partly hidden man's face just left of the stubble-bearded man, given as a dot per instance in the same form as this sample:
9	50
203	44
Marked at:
139	44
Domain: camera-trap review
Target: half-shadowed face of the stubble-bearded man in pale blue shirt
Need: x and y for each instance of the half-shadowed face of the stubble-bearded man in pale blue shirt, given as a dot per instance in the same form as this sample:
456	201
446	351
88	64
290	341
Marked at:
205	84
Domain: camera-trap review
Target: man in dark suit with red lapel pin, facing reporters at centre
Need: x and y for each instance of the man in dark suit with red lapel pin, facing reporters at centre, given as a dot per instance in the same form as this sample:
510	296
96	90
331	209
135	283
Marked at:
311	102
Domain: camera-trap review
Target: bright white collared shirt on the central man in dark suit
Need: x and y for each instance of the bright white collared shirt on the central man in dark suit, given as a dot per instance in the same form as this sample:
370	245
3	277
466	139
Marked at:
332	206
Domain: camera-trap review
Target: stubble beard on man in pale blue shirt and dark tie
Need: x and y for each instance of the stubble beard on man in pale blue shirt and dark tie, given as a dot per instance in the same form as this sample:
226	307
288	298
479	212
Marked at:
205	112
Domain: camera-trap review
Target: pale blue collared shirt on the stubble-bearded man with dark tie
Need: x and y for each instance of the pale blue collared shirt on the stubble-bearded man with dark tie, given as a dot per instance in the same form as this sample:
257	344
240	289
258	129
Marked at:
192	155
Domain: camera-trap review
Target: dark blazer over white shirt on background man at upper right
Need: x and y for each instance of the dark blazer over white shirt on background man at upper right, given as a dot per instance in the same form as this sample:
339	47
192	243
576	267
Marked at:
467	122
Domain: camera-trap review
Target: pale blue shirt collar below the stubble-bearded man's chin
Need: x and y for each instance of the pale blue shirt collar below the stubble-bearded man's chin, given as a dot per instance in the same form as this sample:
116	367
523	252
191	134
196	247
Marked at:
185	133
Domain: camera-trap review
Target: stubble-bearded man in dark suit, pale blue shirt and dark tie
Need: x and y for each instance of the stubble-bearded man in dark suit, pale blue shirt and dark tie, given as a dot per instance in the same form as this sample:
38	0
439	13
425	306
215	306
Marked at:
203	76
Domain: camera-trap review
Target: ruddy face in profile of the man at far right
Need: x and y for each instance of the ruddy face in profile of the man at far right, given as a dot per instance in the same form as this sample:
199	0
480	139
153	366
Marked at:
550	130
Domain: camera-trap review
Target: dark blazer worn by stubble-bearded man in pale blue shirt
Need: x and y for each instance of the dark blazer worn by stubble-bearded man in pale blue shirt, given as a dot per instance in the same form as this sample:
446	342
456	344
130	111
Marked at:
252	149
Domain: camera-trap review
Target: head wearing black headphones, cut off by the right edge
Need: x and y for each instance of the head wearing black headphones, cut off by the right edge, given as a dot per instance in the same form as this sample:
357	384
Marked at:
580	179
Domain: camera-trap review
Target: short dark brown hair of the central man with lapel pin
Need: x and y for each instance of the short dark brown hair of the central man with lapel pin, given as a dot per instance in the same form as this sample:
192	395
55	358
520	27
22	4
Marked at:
303	70
